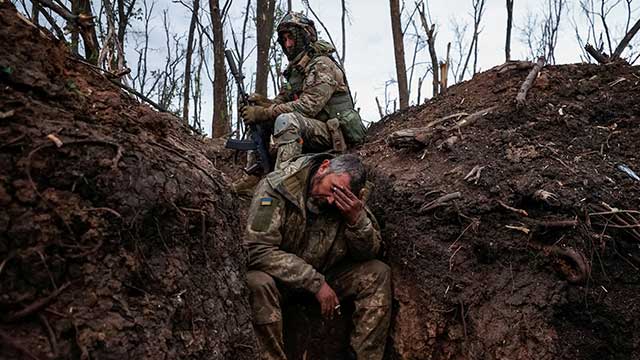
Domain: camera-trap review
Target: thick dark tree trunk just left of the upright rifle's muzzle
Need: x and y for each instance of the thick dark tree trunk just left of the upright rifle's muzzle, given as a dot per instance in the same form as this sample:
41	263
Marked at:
220	126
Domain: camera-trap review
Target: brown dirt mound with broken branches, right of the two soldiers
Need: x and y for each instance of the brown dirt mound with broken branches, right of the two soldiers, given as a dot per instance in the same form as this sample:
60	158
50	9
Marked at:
506	236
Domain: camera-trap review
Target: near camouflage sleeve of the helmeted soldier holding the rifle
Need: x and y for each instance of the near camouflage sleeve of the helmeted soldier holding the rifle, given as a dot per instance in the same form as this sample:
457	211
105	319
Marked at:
319	85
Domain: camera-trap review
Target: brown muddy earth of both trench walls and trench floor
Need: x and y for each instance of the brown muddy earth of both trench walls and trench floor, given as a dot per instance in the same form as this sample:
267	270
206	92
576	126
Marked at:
119	238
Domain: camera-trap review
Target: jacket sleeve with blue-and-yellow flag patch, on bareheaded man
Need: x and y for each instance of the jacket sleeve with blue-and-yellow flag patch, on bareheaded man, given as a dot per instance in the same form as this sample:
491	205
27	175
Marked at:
263	238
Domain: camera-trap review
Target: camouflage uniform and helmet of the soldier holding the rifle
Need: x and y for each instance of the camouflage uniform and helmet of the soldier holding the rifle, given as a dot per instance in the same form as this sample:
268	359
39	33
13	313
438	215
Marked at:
315	91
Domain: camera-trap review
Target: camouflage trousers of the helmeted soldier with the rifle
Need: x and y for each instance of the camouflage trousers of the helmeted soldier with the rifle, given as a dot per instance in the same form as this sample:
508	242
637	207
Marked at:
294	134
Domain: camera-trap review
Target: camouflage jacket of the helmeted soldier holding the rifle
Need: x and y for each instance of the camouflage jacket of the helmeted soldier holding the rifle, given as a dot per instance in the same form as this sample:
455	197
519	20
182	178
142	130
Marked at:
314	82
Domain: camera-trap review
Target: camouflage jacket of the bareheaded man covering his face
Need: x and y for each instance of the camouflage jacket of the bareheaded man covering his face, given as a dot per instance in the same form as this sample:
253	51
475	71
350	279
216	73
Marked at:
292	244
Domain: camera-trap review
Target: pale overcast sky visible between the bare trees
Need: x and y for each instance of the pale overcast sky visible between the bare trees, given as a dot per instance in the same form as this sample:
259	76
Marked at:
370	60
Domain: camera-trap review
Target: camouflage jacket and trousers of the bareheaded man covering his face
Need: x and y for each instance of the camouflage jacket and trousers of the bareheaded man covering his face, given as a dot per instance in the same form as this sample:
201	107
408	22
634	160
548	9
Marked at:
294	247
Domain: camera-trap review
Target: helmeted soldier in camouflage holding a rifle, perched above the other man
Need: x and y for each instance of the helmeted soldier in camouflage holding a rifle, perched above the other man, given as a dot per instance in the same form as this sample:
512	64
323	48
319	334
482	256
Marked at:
314	110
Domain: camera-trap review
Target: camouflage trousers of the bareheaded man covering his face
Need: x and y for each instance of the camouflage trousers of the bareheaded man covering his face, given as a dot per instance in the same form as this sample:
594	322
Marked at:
368	283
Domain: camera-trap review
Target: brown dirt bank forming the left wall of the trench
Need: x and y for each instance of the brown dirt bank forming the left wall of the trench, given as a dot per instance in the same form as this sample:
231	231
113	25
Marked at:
118	237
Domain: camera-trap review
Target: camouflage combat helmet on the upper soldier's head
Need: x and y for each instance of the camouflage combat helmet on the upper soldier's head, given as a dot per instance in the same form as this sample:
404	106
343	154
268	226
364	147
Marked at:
301	28
